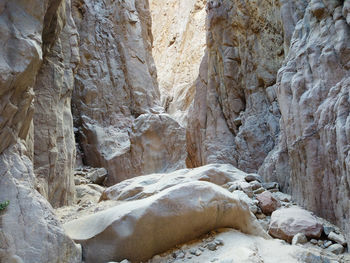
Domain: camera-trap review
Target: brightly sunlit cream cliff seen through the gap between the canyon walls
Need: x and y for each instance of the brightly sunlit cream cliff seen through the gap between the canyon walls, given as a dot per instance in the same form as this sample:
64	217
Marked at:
178	29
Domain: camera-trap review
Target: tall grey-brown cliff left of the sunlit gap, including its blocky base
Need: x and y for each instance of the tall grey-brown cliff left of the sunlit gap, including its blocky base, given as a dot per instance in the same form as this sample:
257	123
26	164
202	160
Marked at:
115	84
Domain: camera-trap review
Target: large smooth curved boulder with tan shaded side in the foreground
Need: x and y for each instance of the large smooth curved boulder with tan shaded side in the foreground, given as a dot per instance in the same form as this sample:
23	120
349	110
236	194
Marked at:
139	229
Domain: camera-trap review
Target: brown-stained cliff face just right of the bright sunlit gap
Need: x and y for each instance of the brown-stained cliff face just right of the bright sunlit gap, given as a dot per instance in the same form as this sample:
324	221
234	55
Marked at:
234	116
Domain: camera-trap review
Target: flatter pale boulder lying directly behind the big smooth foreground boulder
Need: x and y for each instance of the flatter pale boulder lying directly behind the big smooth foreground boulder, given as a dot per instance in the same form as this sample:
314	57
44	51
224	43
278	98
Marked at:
147	185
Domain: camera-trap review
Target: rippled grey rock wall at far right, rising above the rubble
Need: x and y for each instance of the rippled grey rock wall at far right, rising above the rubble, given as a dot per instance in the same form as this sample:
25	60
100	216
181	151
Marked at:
313	94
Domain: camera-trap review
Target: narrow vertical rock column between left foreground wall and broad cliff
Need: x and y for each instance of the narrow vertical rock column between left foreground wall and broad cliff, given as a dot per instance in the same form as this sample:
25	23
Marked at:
54	148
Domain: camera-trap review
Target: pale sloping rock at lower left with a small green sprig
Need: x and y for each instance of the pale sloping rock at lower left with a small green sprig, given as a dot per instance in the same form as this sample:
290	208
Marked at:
29	231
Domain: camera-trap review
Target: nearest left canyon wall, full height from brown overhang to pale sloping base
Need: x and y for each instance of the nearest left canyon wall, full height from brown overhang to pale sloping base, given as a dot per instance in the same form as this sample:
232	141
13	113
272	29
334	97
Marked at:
29	230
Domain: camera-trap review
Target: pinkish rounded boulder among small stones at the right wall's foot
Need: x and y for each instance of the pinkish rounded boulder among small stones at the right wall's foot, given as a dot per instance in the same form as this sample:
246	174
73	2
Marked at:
287	222
